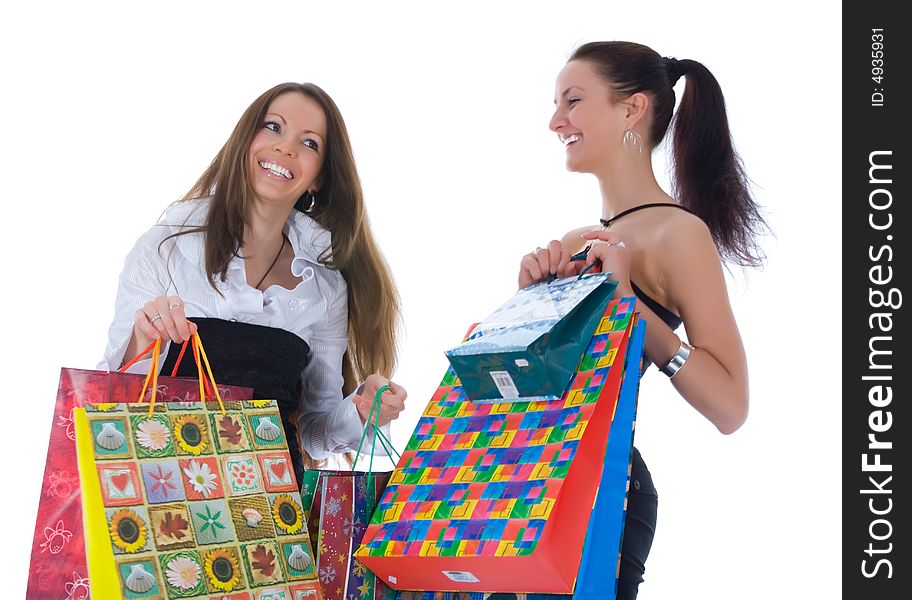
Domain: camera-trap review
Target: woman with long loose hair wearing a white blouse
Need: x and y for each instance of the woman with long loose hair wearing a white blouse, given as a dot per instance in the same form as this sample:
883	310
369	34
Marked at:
270	257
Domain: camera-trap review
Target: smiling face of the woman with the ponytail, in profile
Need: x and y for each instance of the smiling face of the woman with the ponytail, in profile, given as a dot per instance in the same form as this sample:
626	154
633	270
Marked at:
586	119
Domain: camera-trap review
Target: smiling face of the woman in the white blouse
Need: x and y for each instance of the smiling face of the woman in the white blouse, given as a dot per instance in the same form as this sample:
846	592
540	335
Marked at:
286	154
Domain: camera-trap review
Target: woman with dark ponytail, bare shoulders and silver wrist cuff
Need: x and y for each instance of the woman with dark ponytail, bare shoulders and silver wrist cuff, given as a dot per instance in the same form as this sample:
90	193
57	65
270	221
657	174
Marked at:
614	105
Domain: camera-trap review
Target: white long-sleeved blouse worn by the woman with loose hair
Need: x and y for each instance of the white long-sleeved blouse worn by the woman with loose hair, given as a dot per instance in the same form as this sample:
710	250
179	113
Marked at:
316	310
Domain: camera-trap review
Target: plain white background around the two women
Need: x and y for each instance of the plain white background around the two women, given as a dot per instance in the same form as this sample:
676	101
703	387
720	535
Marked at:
111	111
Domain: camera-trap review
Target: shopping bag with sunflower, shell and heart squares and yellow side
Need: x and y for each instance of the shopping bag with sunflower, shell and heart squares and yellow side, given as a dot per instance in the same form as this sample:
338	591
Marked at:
213	509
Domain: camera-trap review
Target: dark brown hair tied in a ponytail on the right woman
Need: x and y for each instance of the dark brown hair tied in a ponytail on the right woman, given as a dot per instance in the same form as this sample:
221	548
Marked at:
709	178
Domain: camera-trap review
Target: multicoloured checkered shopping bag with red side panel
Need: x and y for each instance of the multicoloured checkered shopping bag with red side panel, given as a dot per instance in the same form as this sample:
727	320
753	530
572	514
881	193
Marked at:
497	497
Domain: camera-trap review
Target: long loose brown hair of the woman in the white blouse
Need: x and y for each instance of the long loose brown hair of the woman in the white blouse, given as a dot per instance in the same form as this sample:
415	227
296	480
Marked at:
374	314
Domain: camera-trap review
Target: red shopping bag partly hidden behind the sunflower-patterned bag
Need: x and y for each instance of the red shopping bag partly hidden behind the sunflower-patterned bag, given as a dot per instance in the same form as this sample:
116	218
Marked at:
58	564
